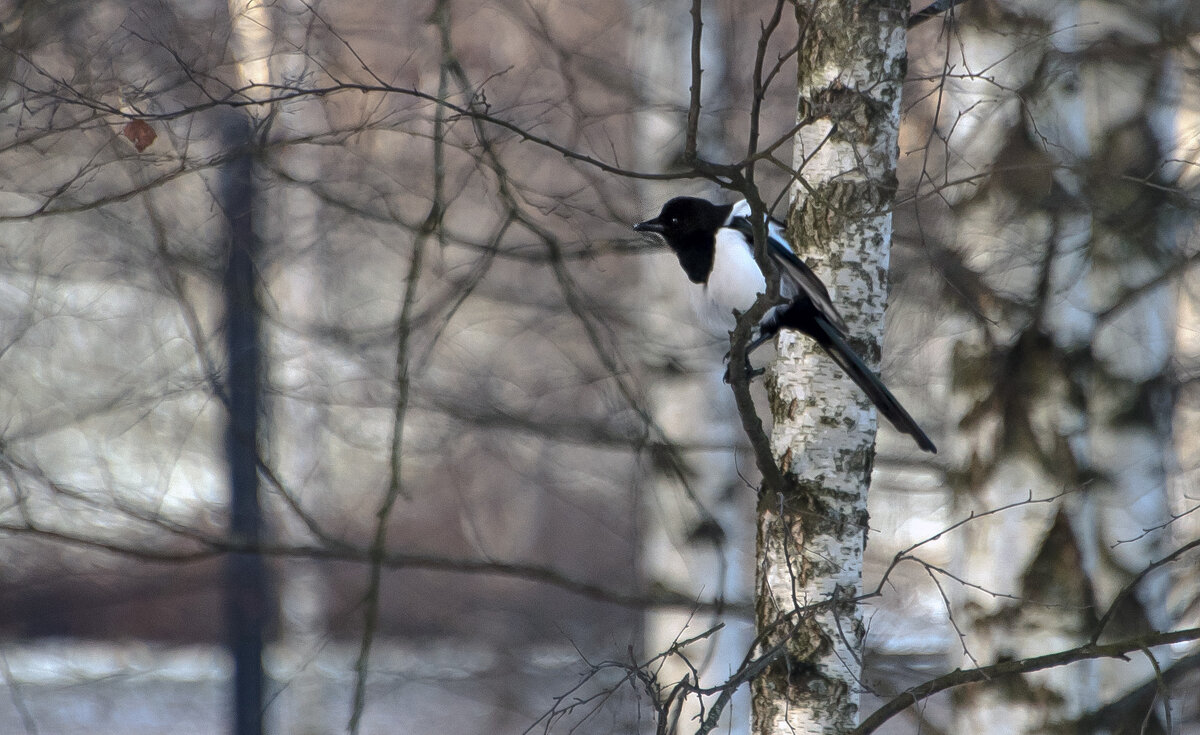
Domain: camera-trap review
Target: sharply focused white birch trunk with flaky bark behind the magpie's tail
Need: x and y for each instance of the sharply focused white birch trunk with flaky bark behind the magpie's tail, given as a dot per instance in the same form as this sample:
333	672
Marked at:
812	535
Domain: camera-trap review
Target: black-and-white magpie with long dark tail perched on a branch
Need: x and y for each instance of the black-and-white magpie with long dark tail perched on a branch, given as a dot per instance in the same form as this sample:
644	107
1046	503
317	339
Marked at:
715	244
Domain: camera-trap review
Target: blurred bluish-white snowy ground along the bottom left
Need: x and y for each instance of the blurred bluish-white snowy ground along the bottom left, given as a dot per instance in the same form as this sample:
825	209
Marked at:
70	688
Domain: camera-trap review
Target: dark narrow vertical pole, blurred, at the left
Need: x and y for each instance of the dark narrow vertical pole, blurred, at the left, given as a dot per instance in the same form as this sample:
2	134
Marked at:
247	602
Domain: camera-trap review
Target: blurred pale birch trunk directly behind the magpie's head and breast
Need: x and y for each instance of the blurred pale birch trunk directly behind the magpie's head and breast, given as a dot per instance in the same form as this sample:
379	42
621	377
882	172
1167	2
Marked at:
695	540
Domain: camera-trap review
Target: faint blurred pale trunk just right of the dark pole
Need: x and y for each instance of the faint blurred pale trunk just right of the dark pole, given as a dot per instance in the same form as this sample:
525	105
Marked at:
303	289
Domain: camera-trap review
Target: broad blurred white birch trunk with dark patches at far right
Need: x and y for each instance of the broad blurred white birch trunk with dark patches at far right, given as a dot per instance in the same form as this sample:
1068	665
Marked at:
1064	386
